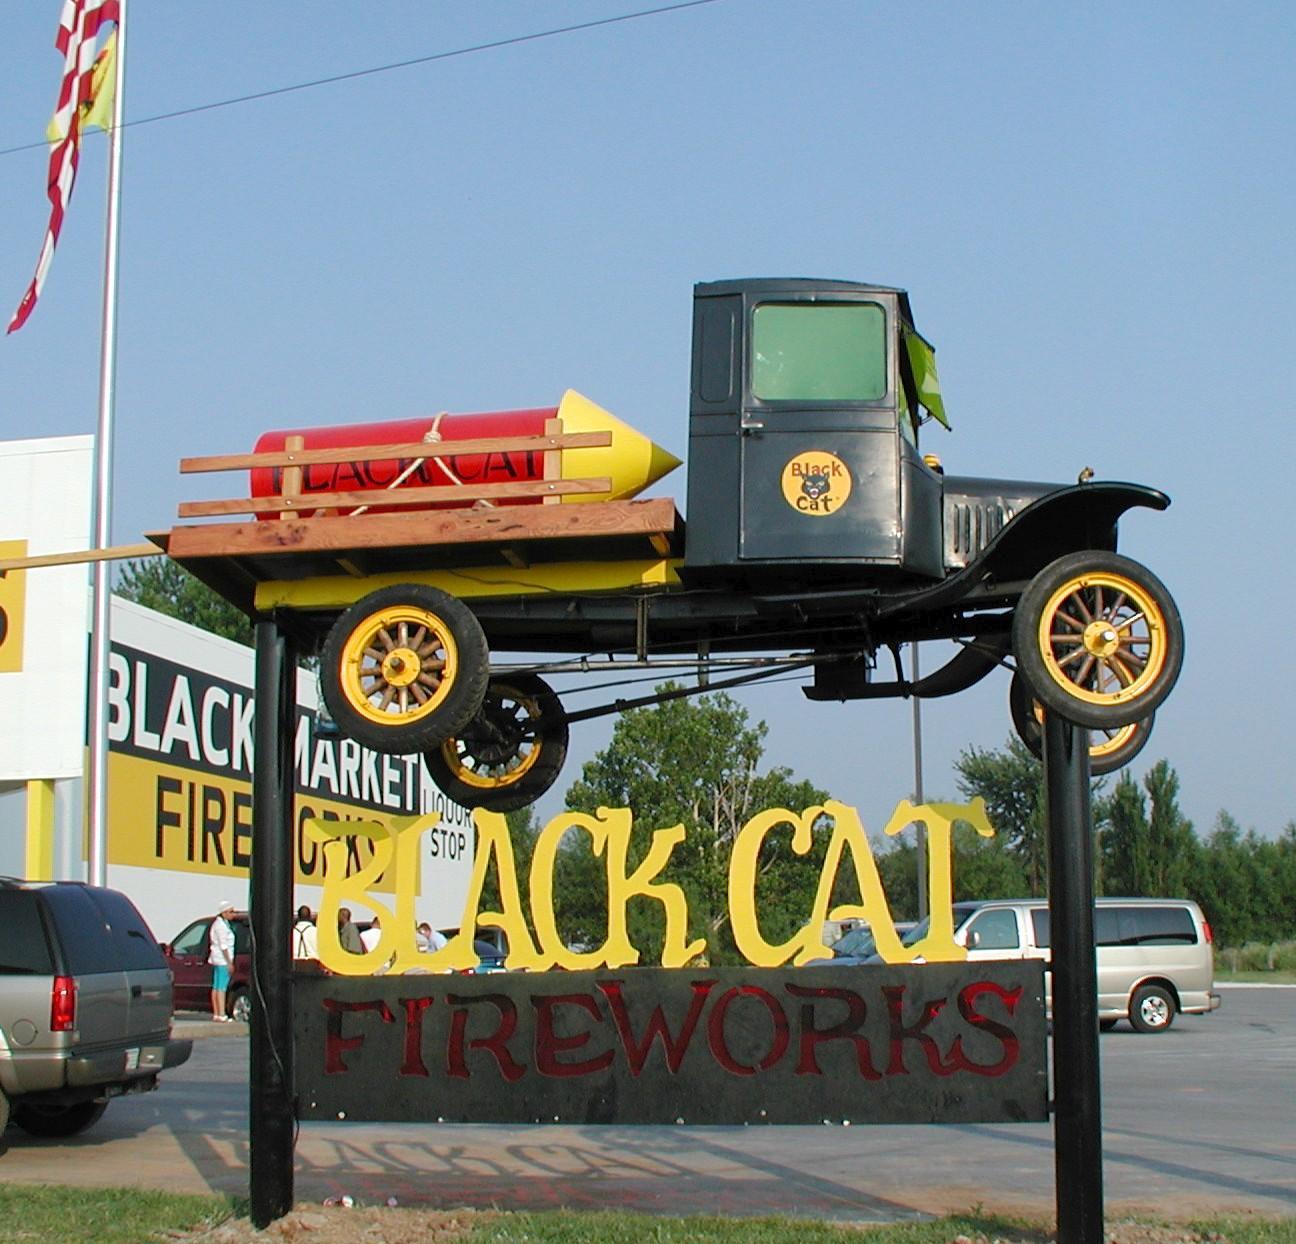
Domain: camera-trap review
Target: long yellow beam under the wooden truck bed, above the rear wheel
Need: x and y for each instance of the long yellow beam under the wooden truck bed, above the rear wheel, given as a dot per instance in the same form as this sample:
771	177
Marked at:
475	584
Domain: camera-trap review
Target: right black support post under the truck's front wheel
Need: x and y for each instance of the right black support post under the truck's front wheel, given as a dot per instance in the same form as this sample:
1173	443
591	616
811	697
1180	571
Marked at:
1078	1102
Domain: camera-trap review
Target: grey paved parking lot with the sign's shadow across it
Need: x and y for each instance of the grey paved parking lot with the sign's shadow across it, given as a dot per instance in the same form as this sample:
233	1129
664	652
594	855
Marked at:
1202	1119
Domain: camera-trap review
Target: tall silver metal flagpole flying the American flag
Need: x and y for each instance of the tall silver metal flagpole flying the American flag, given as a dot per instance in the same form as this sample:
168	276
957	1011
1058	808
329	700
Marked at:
98	803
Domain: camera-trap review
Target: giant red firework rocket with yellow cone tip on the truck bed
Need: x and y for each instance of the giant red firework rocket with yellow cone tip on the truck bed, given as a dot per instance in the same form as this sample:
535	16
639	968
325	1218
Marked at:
616	453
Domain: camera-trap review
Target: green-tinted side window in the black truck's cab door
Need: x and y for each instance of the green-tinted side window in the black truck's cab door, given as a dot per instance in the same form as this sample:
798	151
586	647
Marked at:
820	353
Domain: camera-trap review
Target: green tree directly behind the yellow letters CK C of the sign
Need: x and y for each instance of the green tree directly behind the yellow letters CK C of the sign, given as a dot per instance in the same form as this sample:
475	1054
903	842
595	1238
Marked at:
693	763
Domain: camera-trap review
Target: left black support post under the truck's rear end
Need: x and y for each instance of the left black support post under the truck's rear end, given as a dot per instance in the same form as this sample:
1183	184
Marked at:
273	1123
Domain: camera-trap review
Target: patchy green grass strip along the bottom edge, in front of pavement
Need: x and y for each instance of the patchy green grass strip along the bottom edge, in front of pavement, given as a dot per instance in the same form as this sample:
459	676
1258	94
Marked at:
121	1216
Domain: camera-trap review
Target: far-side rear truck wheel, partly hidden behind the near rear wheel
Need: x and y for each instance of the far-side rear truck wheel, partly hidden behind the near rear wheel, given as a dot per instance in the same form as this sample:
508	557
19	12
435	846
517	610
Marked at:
518	709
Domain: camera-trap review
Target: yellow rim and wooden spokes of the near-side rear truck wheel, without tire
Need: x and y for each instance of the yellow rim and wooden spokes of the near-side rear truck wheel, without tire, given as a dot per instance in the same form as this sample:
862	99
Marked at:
421	643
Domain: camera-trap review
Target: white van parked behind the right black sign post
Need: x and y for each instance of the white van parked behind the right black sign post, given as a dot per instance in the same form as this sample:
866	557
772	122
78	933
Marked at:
1154	954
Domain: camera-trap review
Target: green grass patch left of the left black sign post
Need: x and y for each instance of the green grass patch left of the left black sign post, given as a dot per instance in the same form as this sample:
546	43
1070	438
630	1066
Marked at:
104	1216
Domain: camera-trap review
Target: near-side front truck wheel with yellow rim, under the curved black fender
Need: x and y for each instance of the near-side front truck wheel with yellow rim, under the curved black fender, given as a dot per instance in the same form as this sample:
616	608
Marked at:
1062	667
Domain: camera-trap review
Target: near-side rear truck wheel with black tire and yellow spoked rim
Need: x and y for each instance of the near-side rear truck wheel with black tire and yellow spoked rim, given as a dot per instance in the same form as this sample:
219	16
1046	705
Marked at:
456	643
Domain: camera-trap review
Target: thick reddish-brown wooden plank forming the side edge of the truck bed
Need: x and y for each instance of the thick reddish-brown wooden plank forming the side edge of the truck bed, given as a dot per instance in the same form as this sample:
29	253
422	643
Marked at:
507	525
